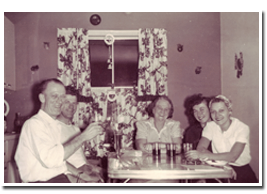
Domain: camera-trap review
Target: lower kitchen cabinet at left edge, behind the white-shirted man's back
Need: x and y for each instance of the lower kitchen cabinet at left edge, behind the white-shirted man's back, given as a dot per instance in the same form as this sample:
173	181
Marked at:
11	174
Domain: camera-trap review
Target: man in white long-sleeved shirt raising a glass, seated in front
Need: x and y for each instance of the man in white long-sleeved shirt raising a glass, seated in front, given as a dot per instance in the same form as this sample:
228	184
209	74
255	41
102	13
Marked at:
40	155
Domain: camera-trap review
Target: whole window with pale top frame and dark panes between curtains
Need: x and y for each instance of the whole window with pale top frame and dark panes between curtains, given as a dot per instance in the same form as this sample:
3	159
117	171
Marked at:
125	55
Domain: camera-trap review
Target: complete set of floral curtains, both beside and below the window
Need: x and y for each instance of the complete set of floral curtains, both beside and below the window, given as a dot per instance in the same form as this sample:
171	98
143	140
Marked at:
74	70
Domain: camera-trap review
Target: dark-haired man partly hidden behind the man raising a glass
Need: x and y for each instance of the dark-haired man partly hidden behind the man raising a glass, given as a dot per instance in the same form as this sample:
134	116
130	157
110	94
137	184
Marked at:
76	163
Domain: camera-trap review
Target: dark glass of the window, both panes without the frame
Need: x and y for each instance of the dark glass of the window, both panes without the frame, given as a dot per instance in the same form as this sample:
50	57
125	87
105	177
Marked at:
125	62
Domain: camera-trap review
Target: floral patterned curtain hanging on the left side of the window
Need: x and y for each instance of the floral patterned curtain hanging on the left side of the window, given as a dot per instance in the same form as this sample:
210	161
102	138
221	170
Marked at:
74	67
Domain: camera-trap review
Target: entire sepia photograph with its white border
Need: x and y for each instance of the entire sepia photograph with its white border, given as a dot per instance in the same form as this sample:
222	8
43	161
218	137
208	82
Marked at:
143	97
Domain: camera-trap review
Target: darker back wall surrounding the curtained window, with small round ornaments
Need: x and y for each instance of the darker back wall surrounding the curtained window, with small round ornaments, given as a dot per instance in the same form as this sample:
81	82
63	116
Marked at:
198	32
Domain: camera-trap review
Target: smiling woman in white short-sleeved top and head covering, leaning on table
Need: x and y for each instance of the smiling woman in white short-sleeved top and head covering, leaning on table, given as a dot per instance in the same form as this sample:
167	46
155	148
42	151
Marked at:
229	138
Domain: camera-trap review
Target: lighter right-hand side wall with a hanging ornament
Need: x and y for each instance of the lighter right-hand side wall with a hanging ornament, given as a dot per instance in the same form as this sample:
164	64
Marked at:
240	33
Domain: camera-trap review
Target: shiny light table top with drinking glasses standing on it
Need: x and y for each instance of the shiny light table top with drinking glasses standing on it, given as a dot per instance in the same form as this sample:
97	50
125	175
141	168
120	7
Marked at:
148	166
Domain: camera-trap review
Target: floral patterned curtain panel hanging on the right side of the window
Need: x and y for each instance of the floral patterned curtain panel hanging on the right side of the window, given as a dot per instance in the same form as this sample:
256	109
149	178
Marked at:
152	74
